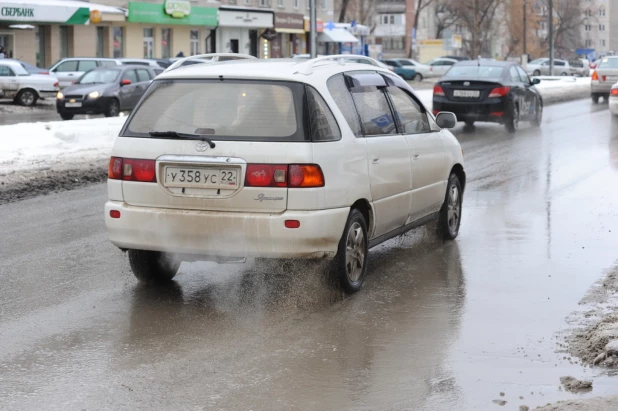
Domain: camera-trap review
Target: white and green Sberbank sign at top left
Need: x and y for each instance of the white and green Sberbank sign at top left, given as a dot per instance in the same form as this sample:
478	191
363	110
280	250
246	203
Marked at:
43	13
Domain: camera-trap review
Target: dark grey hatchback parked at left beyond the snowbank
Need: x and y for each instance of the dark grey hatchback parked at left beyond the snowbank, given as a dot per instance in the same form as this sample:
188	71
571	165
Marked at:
105	90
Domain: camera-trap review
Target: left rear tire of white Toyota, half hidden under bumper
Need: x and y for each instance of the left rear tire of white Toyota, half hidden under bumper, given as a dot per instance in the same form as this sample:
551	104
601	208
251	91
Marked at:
152	267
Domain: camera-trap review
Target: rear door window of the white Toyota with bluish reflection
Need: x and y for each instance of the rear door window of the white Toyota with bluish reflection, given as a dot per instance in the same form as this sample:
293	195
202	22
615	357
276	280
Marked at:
374	111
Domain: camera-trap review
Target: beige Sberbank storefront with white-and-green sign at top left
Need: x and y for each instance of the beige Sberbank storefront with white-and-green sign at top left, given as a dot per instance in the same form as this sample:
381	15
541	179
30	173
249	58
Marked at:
41	31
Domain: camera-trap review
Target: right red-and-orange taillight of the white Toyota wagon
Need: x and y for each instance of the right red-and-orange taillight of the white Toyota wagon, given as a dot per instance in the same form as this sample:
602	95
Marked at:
278	175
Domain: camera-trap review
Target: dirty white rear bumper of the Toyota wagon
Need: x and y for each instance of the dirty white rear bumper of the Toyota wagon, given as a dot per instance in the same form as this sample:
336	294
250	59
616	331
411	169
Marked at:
226	234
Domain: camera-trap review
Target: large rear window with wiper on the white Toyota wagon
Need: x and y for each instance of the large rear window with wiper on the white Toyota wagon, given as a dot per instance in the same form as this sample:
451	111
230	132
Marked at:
225	110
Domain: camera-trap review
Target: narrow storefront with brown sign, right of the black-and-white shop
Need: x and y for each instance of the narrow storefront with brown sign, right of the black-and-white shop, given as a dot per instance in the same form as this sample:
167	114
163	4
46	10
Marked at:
290	35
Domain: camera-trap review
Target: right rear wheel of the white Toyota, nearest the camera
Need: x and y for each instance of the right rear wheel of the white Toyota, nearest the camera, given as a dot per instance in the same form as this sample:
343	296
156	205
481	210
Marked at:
350	263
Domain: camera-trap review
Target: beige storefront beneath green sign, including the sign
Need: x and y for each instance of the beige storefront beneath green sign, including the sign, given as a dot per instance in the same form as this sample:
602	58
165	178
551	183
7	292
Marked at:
166	29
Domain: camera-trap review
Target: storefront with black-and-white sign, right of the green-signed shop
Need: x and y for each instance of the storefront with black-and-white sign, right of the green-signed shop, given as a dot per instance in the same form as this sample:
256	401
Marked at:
240	31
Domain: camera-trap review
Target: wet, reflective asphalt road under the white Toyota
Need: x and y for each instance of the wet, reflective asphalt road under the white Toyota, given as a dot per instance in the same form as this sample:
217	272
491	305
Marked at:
438	326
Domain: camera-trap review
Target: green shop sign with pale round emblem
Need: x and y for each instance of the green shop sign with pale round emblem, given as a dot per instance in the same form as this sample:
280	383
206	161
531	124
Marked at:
173	12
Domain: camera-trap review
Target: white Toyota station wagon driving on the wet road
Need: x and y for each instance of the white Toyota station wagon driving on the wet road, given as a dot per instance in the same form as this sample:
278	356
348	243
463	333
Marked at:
279	160
